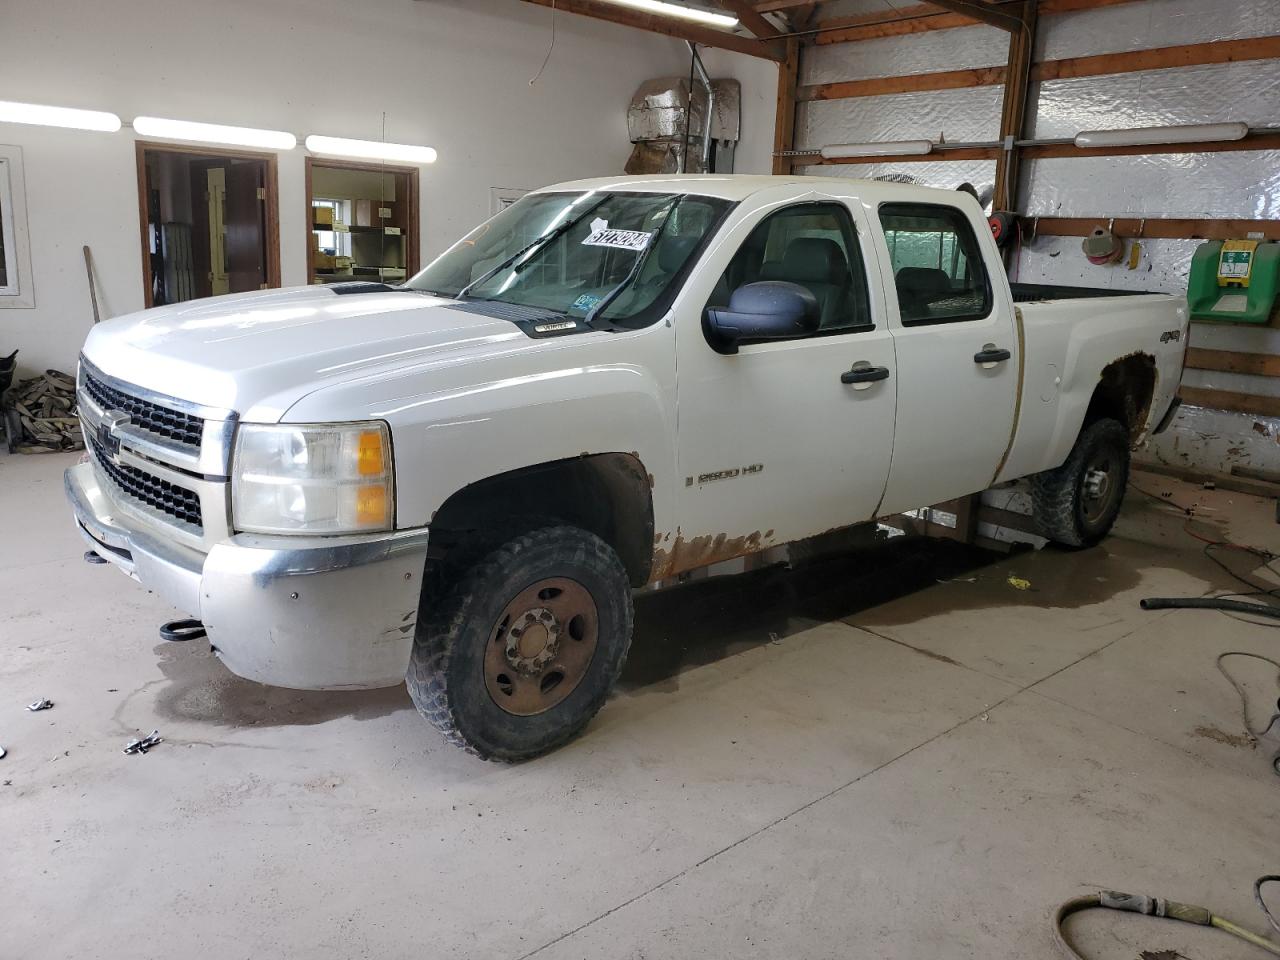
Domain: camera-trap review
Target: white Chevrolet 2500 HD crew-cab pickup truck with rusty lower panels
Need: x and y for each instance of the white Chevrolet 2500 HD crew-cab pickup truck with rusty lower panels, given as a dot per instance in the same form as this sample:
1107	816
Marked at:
459	482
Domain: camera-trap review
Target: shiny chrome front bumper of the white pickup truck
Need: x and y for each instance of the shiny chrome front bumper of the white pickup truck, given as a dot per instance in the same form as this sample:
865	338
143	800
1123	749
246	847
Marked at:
312	614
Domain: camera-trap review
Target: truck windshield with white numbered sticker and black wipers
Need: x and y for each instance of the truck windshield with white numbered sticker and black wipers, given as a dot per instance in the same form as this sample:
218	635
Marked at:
592	255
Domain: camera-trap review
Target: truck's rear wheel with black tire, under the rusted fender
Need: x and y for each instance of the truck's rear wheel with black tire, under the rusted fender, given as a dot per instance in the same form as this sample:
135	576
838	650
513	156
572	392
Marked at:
1072	506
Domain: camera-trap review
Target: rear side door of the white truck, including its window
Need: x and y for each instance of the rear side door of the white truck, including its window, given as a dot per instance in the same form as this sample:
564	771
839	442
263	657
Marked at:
958	353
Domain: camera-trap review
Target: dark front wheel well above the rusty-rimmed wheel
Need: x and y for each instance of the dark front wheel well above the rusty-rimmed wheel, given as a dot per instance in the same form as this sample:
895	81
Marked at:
609	495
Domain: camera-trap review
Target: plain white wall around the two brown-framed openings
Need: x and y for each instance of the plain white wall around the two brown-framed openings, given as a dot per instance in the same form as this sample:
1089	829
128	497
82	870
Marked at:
450	74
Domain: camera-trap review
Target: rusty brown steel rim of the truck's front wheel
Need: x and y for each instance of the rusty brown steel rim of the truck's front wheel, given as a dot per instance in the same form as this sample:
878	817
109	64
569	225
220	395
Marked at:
541	647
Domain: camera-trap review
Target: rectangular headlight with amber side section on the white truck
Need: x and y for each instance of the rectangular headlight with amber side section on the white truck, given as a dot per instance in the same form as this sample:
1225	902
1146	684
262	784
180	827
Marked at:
313	478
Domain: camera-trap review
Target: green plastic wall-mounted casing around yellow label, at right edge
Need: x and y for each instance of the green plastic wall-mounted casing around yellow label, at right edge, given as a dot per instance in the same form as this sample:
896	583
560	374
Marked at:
1228	300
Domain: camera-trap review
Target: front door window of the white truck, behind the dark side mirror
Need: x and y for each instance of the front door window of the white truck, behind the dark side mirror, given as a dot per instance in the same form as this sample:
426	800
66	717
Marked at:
816	246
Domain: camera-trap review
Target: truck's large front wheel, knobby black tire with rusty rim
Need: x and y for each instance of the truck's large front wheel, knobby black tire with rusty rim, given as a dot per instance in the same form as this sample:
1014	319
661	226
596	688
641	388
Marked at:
496	633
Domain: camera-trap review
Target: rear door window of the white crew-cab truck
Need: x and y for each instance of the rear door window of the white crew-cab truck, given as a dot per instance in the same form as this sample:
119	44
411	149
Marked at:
938	264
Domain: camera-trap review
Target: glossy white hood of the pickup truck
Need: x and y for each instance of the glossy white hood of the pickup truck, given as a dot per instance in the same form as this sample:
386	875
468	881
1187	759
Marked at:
259	354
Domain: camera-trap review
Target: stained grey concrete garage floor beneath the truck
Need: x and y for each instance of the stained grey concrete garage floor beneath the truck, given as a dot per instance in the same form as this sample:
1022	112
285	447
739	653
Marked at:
909	770
